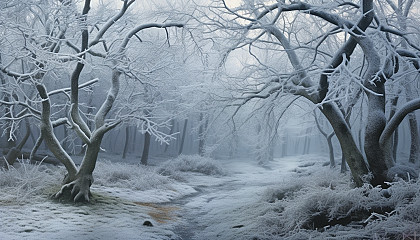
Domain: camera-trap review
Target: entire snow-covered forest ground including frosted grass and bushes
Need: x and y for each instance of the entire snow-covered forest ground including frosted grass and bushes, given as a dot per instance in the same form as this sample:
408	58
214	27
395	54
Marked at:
199	198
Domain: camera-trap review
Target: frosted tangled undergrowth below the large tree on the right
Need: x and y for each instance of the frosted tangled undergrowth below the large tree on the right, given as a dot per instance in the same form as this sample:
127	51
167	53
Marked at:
322	205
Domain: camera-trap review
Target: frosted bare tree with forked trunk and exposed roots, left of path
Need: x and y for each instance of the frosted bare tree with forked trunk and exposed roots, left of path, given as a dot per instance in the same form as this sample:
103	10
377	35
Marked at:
56	51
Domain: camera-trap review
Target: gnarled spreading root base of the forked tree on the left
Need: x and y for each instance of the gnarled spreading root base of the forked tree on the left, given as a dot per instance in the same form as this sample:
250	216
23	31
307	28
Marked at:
79	189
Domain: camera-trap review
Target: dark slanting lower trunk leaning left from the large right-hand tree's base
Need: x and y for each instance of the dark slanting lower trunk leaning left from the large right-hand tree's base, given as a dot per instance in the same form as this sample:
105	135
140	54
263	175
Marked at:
350	151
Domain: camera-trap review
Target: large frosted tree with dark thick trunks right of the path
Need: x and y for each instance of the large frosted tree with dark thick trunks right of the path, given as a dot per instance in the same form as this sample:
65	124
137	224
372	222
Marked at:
324	52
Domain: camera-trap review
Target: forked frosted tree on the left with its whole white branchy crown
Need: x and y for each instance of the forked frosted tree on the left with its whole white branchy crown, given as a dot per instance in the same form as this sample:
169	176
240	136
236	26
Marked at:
58	45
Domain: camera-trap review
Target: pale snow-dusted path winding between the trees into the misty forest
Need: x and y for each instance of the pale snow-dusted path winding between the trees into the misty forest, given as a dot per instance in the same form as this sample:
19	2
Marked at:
219	208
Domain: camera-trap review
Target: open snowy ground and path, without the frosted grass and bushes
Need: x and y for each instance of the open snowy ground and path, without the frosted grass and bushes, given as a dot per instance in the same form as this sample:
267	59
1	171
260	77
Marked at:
197	207
